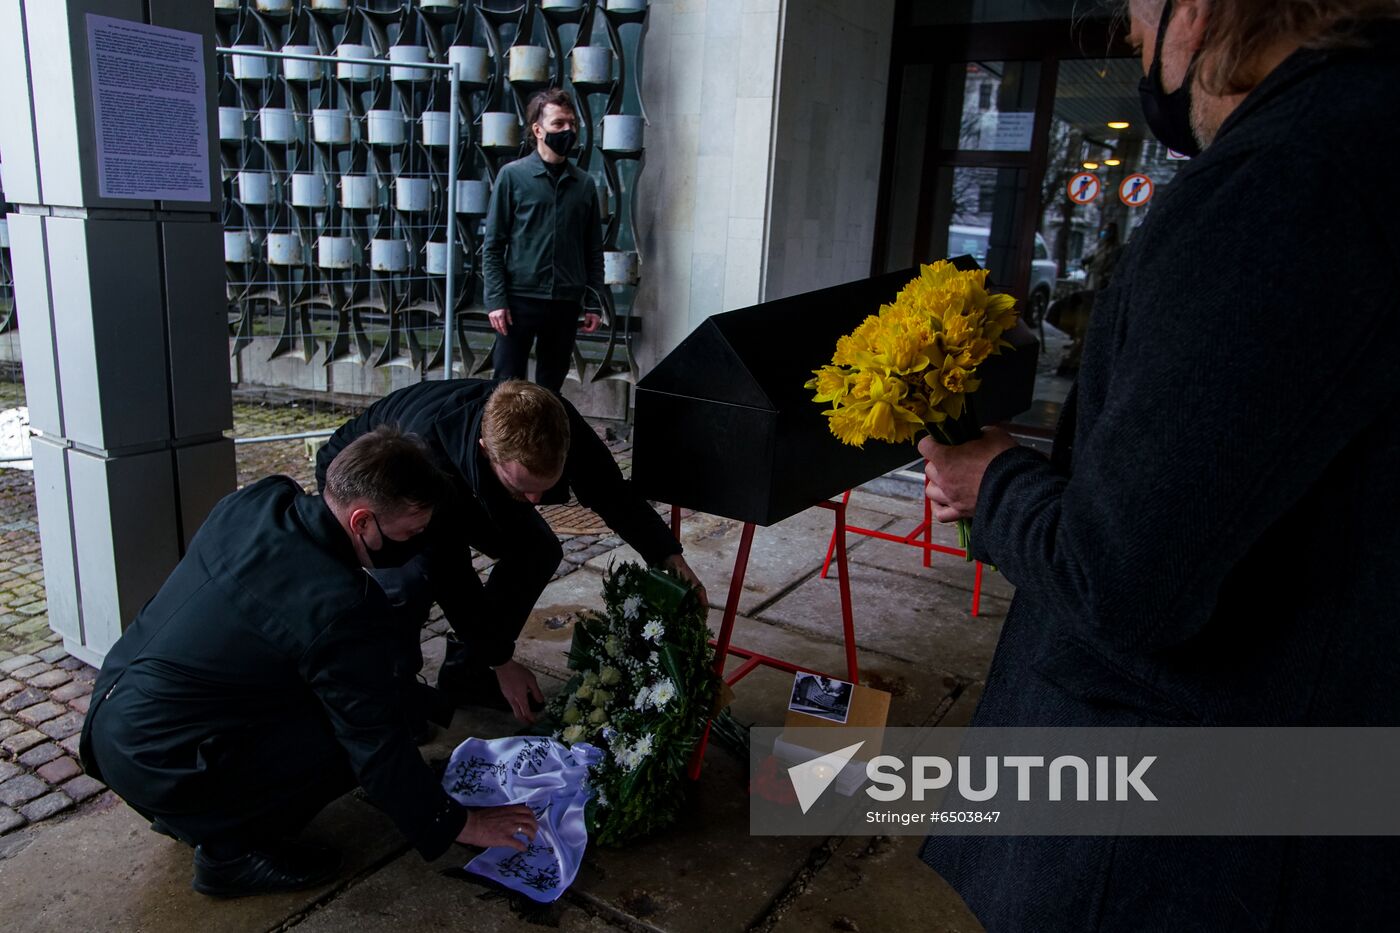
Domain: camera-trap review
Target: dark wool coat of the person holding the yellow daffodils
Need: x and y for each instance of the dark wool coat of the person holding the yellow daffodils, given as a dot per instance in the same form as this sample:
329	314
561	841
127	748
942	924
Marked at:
1216	539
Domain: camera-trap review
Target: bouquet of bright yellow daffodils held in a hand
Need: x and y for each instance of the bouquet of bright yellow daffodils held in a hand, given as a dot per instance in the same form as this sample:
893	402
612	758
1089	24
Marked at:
912	366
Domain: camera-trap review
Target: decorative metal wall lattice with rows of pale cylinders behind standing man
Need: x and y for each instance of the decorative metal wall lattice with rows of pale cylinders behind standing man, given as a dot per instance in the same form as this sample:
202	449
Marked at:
335	176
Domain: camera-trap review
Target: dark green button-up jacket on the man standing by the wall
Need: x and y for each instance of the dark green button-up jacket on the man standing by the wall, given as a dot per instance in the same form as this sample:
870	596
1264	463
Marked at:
544	240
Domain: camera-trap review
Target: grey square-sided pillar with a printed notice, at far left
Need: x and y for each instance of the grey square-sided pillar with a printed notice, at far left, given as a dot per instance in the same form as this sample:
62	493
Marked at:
124	331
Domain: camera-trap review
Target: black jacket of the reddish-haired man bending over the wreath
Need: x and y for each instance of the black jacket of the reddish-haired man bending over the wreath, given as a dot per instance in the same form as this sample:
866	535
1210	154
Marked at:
447	415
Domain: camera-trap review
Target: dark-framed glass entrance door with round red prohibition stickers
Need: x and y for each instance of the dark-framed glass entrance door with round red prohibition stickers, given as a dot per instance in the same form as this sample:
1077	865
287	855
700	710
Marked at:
1020	144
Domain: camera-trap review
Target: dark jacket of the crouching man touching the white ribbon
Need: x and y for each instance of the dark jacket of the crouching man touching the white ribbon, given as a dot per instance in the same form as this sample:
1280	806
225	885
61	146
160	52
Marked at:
269	611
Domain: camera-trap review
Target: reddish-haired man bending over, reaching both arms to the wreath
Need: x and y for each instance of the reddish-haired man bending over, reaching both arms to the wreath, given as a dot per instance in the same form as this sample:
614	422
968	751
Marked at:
507	449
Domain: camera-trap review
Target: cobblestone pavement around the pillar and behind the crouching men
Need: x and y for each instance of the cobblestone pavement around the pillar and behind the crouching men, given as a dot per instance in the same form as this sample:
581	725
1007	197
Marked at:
44	693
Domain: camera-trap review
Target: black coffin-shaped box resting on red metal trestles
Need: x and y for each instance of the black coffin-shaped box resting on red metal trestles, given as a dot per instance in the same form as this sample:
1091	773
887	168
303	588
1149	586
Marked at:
724	425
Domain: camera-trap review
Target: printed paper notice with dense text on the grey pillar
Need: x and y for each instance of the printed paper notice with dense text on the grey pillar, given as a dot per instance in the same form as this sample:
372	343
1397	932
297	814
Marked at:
149	111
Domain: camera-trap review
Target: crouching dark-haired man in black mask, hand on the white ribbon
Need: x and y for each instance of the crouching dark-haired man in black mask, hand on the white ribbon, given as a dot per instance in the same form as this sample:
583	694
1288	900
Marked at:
272	673
